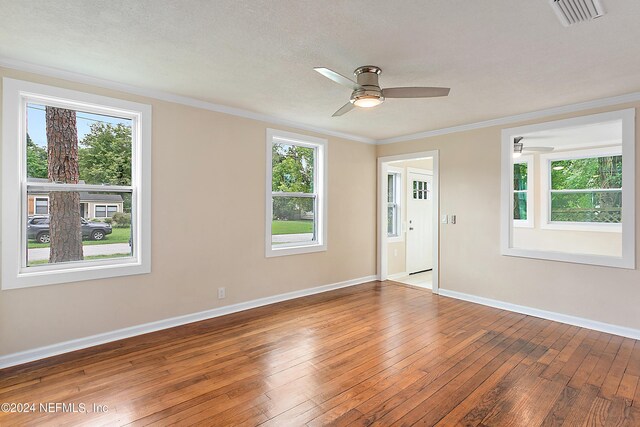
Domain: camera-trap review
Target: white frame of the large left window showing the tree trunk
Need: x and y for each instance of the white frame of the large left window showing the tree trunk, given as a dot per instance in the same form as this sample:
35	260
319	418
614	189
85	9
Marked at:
15	273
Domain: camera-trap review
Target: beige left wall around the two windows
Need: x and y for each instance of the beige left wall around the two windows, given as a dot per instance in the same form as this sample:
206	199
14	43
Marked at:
221	243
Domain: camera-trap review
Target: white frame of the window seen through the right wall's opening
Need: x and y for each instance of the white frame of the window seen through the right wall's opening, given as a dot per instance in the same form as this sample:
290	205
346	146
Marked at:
545	199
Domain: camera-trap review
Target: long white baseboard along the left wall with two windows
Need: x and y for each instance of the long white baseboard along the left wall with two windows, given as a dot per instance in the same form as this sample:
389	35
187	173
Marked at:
80	343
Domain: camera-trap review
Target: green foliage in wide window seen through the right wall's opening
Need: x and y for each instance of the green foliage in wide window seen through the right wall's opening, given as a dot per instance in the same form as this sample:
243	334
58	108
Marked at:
583	174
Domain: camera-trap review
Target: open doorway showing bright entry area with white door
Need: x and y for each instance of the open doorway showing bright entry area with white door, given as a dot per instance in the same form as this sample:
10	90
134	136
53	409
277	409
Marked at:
408	219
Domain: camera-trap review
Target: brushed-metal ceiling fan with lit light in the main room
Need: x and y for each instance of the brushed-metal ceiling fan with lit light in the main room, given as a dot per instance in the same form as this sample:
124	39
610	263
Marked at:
367	92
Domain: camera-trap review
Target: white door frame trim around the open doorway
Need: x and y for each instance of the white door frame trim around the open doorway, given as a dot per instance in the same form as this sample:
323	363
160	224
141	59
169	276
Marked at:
382	212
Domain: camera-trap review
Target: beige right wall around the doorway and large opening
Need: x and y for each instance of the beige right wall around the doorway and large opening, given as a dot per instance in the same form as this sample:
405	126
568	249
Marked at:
470	250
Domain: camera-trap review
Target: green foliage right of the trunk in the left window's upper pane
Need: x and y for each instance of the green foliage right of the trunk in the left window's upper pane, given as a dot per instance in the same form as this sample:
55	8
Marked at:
105	155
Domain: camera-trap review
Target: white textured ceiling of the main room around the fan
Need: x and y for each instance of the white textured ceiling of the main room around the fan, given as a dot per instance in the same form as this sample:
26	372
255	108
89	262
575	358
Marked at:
500	57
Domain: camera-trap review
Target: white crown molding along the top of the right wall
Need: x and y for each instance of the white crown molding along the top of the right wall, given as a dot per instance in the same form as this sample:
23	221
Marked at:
532	115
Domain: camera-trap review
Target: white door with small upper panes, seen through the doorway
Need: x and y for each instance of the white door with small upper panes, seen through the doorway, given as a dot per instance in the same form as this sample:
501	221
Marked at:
419	220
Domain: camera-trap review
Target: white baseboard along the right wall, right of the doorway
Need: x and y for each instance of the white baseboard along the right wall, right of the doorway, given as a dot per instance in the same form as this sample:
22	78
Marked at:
622	331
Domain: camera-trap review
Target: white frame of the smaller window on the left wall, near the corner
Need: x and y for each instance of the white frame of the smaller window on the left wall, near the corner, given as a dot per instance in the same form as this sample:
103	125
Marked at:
320	189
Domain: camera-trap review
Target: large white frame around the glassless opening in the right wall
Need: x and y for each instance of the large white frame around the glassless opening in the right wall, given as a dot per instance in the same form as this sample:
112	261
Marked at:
628	258
